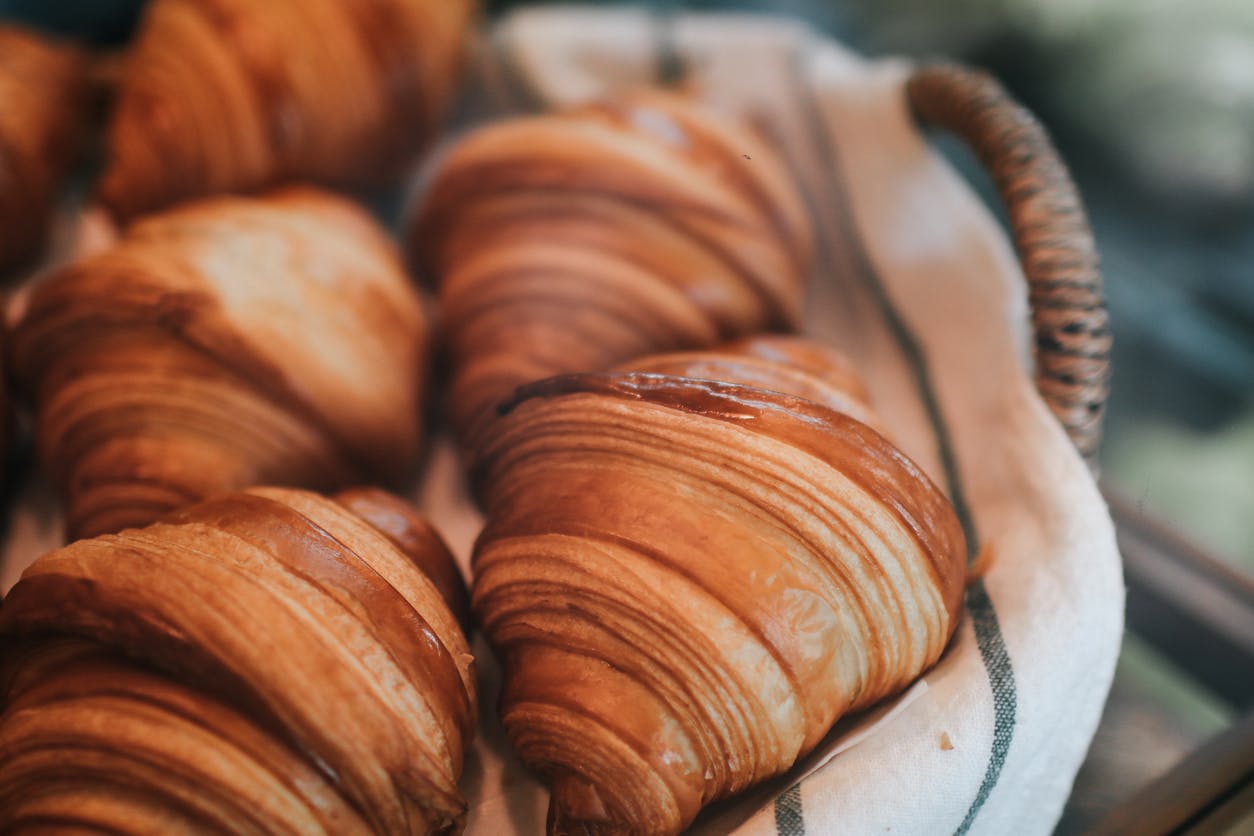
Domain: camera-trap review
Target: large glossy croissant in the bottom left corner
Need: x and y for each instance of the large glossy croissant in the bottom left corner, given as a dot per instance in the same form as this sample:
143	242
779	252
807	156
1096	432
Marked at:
266	662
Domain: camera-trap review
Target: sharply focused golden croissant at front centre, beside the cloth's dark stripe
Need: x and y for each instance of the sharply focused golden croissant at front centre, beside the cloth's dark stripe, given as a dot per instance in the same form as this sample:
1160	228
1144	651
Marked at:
689	581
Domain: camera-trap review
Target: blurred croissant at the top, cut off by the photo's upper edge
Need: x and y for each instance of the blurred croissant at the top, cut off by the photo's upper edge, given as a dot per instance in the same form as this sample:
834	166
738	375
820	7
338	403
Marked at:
230	96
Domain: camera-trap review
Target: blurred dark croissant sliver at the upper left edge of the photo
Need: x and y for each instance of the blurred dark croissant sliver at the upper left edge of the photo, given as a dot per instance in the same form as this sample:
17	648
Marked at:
45	101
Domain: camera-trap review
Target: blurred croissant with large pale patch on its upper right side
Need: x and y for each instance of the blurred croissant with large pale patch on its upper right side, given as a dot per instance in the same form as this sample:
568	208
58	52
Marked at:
230	343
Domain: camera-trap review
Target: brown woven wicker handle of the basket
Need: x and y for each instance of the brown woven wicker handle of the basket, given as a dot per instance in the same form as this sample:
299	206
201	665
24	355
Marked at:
1051	234
